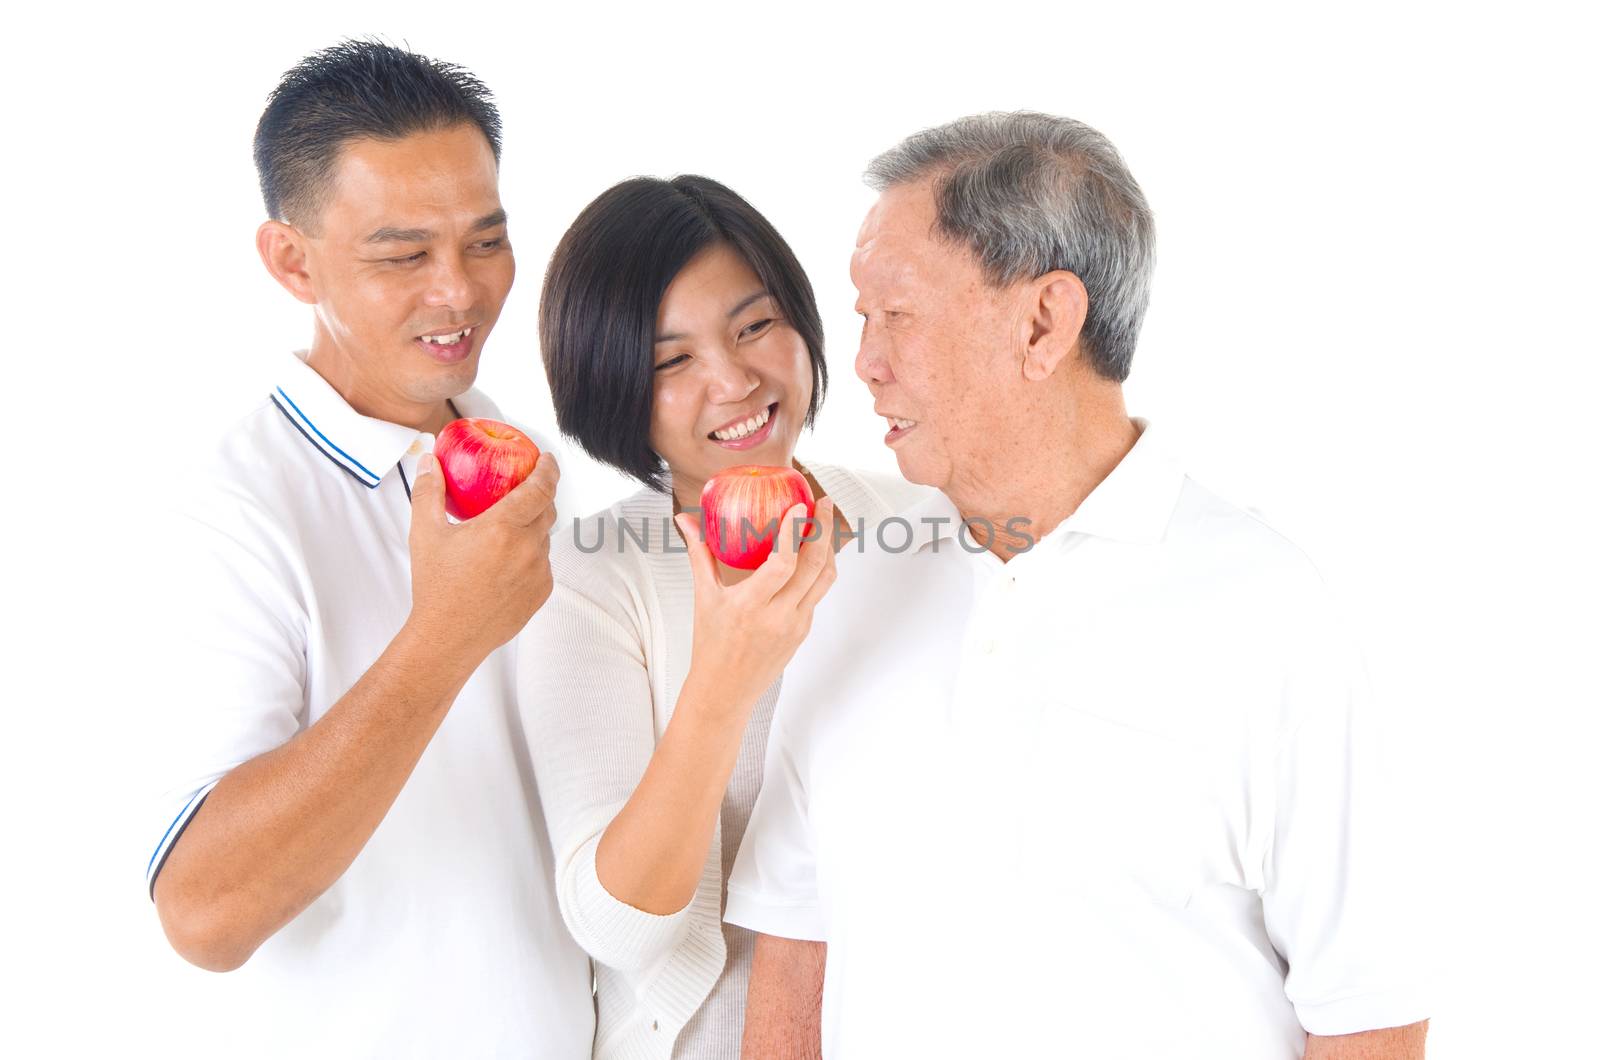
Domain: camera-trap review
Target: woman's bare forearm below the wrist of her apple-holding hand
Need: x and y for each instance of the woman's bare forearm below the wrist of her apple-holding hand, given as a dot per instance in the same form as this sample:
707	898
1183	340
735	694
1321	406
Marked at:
652	854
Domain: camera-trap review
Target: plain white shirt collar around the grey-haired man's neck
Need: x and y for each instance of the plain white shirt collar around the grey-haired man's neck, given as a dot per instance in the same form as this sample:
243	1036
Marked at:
1134	504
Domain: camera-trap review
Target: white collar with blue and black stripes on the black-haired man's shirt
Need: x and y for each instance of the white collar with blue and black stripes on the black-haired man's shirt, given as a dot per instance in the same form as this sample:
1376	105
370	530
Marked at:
362	448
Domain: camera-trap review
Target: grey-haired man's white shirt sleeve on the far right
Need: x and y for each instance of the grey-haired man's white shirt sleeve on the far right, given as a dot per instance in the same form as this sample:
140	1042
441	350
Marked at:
1340	889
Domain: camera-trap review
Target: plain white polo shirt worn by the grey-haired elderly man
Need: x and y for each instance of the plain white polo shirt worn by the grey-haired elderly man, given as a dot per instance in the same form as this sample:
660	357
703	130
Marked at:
1116	798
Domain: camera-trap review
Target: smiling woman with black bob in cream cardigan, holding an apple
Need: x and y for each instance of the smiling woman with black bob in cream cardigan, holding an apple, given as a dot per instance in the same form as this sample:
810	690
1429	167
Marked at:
681	337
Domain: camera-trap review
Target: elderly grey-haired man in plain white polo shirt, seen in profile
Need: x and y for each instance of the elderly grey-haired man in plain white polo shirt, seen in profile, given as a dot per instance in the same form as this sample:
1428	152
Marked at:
1081	761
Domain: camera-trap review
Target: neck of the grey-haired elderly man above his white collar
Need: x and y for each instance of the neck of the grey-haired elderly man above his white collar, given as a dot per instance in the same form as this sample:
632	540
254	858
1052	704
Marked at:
1028	499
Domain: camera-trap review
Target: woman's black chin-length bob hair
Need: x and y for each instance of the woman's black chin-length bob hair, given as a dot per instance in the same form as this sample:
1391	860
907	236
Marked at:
602	292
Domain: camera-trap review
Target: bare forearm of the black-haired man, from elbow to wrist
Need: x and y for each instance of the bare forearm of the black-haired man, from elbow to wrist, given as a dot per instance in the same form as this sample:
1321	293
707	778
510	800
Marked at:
281	829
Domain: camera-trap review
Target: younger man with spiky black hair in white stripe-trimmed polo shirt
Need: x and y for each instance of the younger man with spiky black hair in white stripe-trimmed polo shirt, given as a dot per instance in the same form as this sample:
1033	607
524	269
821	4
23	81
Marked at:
351	806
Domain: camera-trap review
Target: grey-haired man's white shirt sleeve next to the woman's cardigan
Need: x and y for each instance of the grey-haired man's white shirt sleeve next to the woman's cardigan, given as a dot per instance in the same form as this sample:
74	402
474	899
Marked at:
774	883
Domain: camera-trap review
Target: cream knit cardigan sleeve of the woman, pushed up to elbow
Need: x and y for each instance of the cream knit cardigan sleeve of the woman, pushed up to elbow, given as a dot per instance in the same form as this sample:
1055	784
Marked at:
583	688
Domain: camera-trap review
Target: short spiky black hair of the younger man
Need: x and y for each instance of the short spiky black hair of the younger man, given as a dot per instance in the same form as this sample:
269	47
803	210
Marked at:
354	90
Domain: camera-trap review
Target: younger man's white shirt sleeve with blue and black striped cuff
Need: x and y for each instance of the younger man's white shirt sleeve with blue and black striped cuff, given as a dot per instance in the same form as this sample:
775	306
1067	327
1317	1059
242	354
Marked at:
231	656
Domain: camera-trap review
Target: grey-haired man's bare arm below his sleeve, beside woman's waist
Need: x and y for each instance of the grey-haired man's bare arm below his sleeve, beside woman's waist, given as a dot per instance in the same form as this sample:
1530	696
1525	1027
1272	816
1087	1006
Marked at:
783	1010
